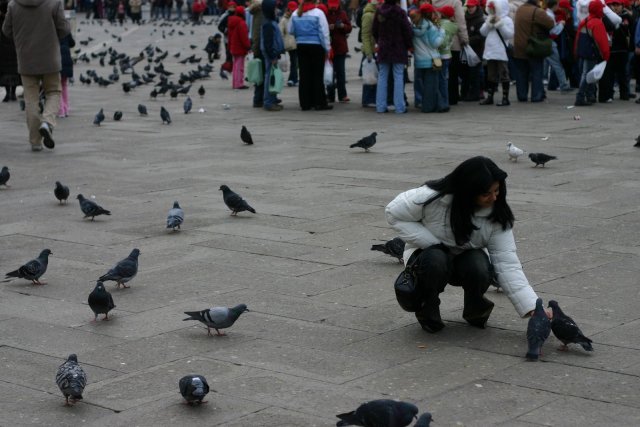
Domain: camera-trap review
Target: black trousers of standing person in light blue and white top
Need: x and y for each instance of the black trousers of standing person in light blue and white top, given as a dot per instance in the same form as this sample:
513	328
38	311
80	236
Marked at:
311	91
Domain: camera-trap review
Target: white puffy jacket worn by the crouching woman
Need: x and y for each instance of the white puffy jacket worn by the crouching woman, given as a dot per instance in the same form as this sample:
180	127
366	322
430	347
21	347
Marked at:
423	226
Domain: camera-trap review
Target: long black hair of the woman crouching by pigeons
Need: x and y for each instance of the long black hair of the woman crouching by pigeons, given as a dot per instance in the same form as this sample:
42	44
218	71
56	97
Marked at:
468	180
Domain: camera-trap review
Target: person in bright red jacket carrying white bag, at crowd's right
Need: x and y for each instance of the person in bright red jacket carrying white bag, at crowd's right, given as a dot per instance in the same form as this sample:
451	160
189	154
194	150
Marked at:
591	46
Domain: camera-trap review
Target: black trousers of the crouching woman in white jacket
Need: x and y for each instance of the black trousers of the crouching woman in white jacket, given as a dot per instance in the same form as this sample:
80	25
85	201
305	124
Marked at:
436	267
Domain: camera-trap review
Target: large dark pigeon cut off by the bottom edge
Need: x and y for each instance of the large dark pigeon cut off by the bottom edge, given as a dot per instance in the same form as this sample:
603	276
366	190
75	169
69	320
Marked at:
378	413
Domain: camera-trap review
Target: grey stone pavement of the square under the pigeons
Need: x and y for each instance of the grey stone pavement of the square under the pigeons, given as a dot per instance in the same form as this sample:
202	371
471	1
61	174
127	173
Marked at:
324	333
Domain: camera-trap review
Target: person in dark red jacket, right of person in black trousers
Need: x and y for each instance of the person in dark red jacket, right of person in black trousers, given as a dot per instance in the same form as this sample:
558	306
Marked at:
339	29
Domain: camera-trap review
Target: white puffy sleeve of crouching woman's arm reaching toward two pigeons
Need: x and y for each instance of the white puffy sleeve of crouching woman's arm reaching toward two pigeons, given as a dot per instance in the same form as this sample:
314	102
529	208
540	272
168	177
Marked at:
502	252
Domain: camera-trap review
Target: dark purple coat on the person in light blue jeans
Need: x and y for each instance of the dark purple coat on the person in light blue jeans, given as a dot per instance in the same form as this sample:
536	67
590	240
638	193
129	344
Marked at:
392	31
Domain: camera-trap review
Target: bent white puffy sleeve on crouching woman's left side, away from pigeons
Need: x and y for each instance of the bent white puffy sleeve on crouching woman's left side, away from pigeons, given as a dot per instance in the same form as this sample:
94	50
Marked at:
405	214
